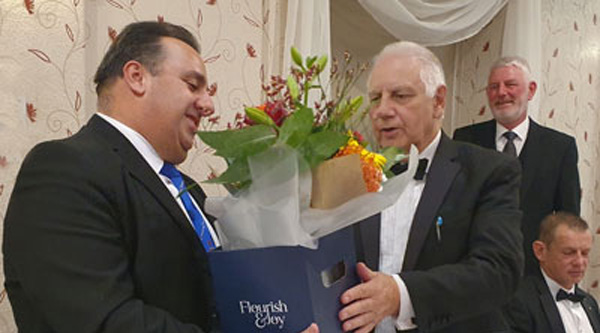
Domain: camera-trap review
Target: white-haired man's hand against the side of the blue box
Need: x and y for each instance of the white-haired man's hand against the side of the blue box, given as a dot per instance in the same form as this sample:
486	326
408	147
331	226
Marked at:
368	303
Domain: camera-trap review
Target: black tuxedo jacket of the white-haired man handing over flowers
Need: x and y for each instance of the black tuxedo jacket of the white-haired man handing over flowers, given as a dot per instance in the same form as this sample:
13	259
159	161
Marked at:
458	282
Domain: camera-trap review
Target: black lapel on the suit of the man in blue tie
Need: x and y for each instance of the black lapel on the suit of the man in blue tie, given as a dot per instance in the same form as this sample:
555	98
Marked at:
140	170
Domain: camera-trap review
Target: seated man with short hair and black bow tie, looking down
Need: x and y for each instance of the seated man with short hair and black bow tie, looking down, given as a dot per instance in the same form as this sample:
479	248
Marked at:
552	302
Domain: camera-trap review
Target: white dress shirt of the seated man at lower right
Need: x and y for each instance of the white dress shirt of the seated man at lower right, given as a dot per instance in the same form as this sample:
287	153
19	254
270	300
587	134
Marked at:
573	315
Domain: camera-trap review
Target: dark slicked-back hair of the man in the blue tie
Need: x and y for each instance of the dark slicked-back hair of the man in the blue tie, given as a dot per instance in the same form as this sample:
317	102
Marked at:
139	41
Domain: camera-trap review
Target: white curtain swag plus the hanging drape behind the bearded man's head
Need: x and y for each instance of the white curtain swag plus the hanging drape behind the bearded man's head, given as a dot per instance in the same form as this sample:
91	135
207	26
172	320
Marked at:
443	22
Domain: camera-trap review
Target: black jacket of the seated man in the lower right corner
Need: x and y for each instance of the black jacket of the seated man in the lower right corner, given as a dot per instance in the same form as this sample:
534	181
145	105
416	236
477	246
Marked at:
533	309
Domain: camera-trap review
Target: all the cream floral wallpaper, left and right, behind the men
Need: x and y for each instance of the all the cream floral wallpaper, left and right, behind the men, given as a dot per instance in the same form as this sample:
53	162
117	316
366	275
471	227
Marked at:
52	47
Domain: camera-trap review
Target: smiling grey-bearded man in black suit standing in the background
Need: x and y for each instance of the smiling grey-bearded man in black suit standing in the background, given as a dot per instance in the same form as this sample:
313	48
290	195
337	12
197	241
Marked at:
548	158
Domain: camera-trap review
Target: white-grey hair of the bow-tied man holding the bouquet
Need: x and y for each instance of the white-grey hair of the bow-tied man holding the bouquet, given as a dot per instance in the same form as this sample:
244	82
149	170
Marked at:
431	74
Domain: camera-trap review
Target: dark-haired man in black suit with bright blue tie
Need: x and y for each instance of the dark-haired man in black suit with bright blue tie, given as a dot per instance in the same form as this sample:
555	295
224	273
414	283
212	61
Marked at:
97	237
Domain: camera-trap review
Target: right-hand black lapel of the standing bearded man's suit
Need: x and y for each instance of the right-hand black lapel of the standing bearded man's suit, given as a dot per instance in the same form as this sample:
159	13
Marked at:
529	156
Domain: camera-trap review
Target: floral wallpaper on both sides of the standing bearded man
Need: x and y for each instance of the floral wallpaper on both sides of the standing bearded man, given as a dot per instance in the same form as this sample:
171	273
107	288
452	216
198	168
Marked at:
569	92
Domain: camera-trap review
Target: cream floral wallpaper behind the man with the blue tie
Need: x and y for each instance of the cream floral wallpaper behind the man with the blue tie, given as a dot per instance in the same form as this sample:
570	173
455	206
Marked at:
51	49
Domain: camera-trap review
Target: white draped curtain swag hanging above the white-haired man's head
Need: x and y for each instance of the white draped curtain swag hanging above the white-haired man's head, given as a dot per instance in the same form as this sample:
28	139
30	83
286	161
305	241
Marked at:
433	22
